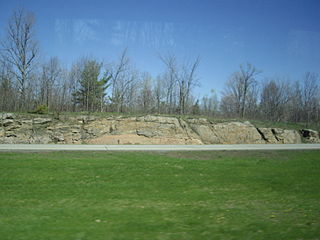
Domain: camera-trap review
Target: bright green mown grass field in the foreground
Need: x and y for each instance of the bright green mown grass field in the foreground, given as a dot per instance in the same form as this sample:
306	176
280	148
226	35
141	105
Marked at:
174	195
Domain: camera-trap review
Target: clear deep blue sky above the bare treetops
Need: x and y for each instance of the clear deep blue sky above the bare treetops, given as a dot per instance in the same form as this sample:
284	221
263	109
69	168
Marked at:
280	37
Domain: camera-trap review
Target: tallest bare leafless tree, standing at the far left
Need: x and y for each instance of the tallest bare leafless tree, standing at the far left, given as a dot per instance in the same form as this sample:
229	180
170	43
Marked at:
20	48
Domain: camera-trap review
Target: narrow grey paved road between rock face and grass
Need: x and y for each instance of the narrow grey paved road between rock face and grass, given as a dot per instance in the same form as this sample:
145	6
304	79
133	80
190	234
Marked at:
64	147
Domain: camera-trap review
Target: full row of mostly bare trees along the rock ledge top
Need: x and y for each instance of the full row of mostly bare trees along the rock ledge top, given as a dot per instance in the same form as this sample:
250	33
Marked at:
90	85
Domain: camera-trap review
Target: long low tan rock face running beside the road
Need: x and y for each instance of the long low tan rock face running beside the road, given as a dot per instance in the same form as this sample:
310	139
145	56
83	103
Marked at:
141	130
